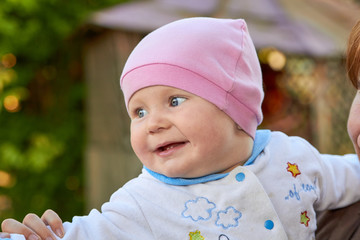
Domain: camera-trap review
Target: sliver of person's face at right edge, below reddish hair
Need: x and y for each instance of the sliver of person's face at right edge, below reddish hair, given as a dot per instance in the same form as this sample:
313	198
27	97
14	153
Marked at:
354	123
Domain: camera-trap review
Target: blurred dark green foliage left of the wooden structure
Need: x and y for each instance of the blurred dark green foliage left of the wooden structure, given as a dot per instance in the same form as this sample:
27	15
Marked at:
42	129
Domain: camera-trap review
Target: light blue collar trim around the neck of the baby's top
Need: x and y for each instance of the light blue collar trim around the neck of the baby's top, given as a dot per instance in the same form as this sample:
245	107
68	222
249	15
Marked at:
262	138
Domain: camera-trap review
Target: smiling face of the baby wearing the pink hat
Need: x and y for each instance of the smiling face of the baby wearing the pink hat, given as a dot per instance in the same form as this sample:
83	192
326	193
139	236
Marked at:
178	134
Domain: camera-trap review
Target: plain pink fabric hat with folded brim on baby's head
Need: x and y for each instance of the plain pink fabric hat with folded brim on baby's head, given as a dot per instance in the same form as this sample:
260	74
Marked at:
211	58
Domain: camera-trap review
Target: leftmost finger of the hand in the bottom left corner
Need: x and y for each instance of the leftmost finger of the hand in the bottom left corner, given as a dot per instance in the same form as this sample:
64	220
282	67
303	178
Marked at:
13	226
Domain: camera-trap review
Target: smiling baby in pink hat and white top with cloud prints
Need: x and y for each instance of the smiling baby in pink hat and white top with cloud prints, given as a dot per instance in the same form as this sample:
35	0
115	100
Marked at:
193	90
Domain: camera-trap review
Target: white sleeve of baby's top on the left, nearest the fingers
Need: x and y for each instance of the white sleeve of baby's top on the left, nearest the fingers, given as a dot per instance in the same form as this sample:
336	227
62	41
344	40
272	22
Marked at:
120	219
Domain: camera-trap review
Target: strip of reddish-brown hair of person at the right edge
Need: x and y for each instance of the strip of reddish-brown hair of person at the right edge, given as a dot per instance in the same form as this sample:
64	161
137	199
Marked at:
353	55
